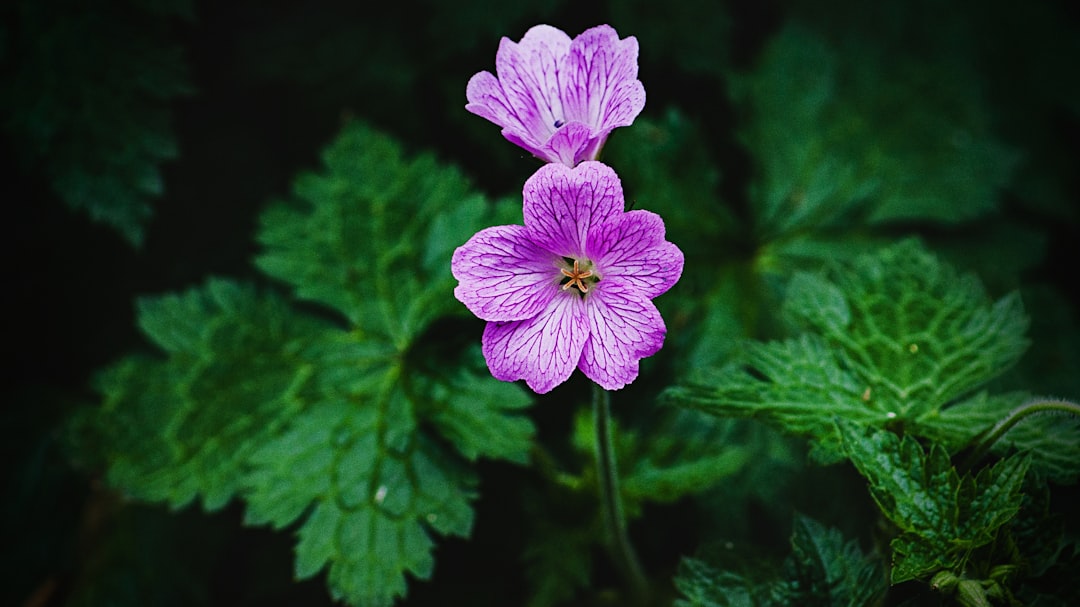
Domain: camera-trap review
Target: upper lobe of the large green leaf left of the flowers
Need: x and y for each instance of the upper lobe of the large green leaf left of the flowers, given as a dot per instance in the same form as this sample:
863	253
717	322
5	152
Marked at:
354	240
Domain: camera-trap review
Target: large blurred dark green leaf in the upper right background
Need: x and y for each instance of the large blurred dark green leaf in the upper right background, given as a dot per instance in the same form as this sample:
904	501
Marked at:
836	142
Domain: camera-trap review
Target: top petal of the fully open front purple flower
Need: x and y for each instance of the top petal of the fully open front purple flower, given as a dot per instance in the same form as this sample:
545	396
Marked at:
564	205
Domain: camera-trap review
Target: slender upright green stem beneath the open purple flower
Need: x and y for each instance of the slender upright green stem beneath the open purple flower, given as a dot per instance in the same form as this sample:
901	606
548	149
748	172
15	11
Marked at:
615	519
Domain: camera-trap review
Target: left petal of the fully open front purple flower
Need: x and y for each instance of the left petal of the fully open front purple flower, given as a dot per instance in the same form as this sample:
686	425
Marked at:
504	276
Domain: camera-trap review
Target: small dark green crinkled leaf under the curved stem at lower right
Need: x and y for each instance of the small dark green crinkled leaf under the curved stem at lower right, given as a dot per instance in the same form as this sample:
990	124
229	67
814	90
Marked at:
942	516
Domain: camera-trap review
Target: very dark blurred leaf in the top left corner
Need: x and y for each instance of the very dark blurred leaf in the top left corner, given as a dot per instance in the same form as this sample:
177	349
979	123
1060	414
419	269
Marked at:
88	102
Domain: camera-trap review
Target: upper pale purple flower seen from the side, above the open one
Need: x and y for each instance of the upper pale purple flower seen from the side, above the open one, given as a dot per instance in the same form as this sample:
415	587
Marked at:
560	99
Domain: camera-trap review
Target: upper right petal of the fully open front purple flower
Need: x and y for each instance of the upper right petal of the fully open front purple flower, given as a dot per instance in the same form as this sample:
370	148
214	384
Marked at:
631	250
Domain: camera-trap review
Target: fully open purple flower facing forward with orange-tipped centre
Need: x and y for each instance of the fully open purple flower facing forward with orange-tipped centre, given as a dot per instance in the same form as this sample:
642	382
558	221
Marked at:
572	288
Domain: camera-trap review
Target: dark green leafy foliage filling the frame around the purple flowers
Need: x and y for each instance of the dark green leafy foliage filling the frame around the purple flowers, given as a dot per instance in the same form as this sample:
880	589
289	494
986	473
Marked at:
877	208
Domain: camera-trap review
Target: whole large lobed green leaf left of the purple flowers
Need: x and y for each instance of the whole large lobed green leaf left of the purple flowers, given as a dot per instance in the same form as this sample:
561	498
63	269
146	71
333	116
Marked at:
347	429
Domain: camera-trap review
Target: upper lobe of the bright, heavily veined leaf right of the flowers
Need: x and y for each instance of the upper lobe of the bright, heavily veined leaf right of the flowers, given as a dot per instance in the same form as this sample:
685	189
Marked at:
919	334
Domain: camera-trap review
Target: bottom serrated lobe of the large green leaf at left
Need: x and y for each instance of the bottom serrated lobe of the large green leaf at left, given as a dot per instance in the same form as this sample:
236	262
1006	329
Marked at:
374	504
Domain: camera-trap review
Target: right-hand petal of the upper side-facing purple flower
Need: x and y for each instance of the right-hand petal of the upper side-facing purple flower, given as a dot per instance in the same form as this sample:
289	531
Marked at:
604	91
